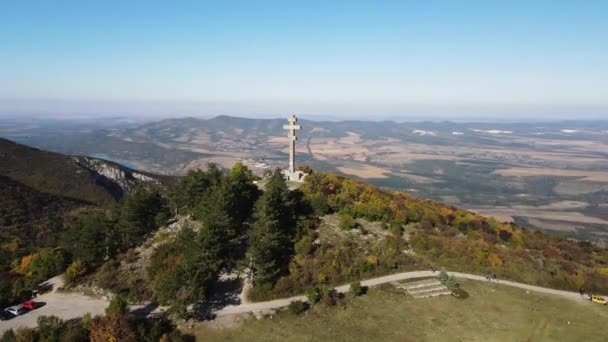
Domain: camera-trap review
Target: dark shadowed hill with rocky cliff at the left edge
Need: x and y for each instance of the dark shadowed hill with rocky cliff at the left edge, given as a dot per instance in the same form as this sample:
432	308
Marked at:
39	190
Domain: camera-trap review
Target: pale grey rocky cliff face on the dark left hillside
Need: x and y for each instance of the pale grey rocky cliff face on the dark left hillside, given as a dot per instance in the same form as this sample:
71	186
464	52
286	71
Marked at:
116	178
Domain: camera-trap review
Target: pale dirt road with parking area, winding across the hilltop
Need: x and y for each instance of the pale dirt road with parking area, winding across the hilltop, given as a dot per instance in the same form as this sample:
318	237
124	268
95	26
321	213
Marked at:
70	305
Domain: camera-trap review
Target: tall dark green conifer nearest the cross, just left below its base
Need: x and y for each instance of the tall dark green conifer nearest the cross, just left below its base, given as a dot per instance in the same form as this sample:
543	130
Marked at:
270	244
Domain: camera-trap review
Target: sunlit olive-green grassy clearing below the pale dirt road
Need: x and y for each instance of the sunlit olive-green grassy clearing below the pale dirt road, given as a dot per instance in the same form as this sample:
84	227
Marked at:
492	313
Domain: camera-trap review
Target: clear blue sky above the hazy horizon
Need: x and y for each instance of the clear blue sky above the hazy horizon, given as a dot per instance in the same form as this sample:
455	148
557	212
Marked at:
339	58
